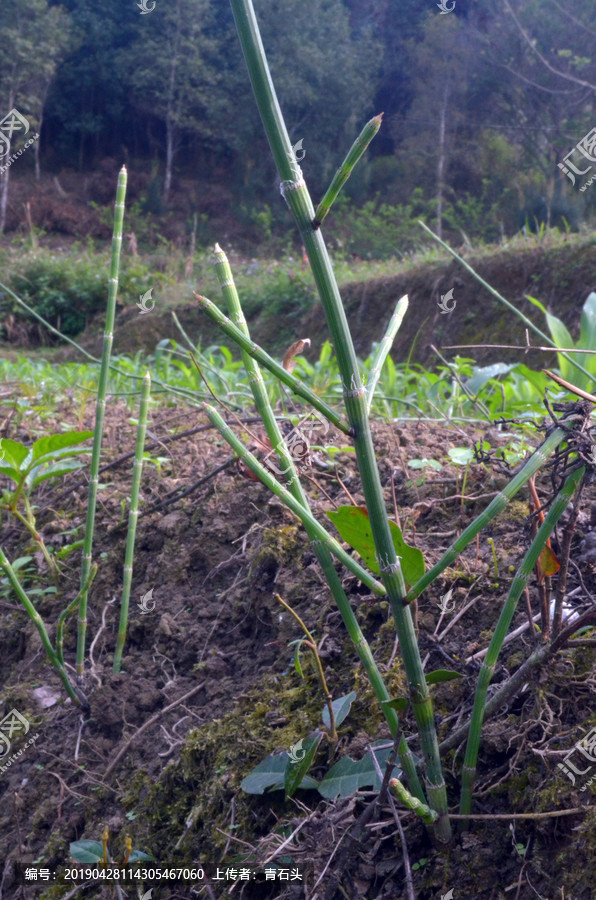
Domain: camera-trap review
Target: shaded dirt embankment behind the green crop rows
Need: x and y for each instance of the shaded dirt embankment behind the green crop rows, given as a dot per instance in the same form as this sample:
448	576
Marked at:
560	277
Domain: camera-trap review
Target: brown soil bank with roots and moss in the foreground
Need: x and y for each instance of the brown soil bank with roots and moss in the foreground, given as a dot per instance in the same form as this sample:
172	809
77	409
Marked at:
213	561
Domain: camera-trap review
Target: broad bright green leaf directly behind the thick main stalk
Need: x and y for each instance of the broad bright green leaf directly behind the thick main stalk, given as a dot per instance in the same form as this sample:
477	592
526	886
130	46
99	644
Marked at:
353	524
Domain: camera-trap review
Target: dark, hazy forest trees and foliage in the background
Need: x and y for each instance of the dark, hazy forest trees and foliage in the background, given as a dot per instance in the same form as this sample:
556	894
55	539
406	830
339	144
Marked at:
480	105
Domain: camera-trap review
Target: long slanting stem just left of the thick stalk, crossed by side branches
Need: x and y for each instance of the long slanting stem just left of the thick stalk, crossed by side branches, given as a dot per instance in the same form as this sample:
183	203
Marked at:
226	280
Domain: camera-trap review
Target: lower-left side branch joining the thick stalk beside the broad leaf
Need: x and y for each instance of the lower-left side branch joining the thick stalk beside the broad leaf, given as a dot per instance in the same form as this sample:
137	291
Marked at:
304	515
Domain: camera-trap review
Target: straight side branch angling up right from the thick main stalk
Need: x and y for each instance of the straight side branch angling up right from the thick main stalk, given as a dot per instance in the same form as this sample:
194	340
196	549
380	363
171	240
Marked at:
497	505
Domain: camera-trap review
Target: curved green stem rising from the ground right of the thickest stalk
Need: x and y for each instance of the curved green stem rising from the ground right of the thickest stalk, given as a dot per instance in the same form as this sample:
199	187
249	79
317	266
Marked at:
558	507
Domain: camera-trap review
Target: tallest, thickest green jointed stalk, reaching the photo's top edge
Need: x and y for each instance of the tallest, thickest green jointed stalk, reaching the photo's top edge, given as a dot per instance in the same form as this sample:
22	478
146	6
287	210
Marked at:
295	192
